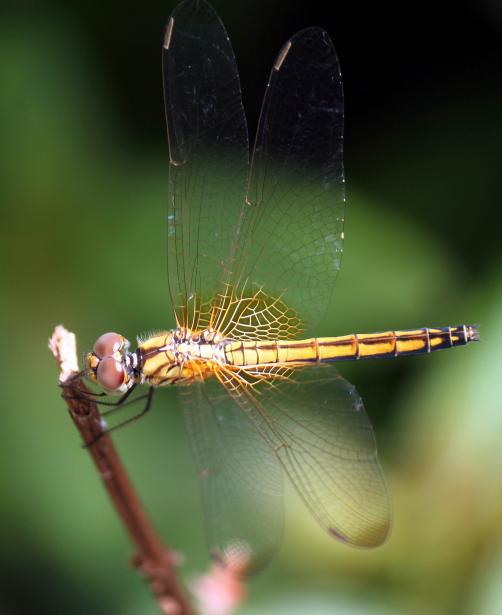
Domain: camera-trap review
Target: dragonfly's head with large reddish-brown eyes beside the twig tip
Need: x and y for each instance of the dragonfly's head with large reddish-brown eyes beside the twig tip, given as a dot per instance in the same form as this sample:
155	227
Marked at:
110	363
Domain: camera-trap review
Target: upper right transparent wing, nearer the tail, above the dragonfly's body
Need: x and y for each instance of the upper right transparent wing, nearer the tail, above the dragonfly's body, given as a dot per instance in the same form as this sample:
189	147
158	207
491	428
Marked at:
290	235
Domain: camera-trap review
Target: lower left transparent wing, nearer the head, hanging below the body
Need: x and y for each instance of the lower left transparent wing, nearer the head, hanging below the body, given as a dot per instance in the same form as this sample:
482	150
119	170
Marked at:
240	479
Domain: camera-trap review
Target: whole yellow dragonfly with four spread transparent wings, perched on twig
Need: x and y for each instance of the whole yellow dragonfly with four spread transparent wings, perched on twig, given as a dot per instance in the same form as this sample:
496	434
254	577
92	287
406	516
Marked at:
254	245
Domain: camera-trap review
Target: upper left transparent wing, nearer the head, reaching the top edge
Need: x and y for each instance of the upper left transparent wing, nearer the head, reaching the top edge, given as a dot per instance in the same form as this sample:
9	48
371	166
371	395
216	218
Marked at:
208	144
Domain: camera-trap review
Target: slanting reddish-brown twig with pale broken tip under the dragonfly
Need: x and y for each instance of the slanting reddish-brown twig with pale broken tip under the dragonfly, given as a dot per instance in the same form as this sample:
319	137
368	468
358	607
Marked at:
153	559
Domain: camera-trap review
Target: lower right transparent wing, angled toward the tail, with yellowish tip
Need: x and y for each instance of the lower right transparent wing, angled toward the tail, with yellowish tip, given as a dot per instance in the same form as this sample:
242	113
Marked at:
318	429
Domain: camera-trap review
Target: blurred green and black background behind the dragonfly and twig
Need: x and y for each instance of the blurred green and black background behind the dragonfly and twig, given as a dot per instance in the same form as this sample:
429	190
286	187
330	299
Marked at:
83	184
